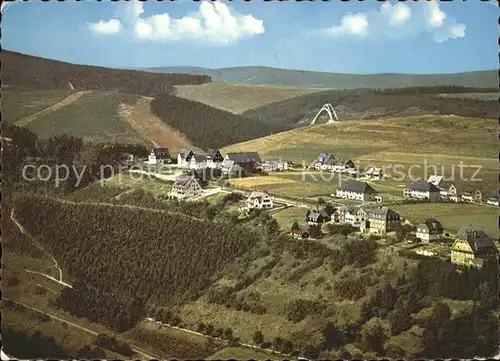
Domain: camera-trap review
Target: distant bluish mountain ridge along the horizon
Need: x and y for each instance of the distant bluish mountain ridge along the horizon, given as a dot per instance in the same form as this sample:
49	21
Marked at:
303	78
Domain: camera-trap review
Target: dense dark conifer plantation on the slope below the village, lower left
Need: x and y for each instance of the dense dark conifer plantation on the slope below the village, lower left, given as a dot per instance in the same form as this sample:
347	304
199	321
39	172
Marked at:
126	258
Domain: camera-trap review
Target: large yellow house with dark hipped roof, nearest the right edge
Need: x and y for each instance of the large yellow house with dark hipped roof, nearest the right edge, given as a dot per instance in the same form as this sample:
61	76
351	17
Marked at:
472	246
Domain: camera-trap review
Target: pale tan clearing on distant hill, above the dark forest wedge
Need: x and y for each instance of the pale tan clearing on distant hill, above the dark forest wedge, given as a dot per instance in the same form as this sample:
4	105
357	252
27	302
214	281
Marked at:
237	98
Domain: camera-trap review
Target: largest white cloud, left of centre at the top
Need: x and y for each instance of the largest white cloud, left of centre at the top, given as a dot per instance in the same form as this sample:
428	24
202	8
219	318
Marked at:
213	22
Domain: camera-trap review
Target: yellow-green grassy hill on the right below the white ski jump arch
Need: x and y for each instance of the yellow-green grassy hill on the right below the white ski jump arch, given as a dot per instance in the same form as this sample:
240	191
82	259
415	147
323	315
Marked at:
443	141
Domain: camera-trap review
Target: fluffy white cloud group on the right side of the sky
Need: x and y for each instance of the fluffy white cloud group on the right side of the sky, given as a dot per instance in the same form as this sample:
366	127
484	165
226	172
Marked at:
398	21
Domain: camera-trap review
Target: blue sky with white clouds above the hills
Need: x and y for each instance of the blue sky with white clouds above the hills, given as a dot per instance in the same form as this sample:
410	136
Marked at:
345	37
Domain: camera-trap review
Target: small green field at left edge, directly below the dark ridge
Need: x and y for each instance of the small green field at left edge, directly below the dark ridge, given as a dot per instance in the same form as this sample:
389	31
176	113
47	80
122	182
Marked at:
18	103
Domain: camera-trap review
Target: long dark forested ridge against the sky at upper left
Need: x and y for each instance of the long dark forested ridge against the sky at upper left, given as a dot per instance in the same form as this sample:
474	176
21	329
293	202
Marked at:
25	71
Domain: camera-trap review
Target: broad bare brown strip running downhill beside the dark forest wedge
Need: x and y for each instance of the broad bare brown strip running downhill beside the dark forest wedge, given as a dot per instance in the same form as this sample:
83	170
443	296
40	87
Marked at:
152	128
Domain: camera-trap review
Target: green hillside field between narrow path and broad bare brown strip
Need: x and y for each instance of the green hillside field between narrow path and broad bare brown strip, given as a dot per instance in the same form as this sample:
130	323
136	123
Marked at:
94	116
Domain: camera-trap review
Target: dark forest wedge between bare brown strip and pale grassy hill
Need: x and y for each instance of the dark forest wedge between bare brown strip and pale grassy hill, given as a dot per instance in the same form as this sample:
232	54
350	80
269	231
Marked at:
205	126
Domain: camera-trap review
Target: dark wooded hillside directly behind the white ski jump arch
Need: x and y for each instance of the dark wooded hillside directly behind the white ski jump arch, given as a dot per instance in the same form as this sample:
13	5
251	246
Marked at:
374	104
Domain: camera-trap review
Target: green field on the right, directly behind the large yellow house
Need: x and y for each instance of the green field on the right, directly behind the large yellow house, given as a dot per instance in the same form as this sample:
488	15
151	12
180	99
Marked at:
453	215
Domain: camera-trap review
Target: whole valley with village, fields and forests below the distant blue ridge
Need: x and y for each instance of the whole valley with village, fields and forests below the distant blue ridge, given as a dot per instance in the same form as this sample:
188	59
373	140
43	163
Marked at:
128	264
